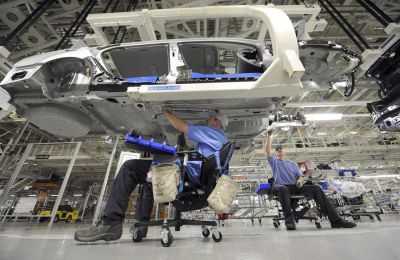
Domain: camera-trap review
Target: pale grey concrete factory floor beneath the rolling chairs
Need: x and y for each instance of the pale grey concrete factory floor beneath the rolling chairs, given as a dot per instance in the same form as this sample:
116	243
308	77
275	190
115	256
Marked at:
241	240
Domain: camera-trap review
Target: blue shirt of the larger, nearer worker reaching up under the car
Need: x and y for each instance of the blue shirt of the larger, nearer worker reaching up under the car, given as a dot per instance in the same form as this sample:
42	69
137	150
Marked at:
209	140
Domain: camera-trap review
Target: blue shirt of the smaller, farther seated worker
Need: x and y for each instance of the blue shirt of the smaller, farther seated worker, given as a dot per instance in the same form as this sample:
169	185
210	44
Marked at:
285	172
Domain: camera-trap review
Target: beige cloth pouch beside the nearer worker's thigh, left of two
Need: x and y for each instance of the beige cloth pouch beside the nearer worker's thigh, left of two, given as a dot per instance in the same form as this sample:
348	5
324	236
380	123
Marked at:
165	181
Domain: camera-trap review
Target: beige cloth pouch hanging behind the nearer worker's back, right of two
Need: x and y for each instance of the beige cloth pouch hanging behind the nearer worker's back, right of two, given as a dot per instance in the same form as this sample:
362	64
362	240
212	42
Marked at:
221	198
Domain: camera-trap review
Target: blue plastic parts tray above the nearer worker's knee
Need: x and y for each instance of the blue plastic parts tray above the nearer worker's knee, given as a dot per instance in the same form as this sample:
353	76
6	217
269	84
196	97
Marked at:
149	145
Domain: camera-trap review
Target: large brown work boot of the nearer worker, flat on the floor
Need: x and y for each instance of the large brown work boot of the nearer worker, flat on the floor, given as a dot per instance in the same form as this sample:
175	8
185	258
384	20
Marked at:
106	229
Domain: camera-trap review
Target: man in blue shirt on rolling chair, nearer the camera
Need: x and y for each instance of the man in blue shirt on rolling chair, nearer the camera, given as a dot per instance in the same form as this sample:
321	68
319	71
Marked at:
209	139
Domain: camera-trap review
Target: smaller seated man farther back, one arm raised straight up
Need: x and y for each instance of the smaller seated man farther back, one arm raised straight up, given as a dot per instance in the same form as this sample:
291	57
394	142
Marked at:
289	180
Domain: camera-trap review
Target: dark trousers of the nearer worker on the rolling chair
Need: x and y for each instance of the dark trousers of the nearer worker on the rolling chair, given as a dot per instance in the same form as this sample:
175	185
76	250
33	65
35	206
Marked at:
132	172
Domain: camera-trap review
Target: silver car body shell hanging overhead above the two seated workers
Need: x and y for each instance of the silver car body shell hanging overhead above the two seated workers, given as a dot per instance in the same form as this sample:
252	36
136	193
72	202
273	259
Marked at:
122	88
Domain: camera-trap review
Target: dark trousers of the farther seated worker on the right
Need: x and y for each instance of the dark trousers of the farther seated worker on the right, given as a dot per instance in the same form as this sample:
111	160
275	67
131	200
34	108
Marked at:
310	191
